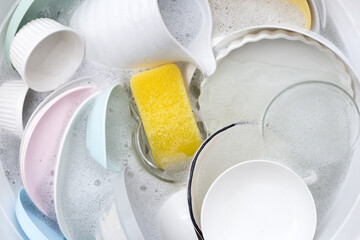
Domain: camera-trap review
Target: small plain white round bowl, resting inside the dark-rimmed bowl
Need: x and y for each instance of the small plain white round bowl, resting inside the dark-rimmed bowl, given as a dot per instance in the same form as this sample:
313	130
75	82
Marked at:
259	200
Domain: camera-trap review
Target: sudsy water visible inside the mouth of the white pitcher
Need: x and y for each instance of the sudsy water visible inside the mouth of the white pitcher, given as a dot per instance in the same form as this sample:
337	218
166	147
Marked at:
183	19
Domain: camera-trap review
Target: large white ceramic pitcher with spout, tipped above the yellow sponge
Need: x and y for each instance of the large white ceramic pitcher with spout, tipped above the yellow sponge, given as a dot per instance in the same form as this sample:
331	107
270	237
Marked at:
132	34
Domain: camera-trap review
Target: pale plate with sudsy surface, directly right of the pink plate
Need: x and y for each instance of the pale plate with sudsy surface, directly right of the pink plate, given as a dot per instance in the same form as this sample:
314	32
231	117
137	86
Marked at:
76	172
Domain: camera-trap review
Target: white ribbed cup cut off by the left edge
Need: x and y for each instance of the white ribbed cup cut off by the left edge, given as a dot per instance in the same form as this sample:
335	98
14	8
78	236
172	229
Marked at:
12	97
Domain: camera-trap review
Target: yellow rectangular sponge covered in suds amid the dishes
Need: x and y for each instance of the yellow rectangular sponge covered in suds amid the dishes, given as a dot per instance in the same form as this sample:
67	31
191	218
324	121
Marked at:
166	114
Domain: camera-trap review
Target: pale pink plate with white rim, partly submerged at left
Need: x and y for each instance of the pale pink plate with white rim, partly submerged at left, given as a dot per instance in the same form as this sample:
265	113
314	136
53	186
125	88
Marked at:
38	164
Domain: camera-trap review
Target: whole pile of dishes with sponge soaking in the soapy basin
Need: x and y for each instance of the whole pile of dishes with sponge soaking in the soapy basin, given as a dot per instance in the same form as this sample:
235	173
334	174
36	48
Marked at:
212	134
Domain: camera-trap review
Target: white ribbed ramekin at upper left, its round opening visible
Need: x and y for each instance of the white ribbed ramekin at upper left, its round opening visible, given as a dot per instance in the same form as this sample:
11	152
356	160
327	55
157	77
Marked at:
46	54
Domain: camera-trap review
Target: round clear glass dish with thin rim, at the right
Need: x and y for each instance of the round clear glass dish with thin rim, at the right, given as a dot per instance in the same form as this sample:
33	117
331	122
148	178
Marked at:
316	120
